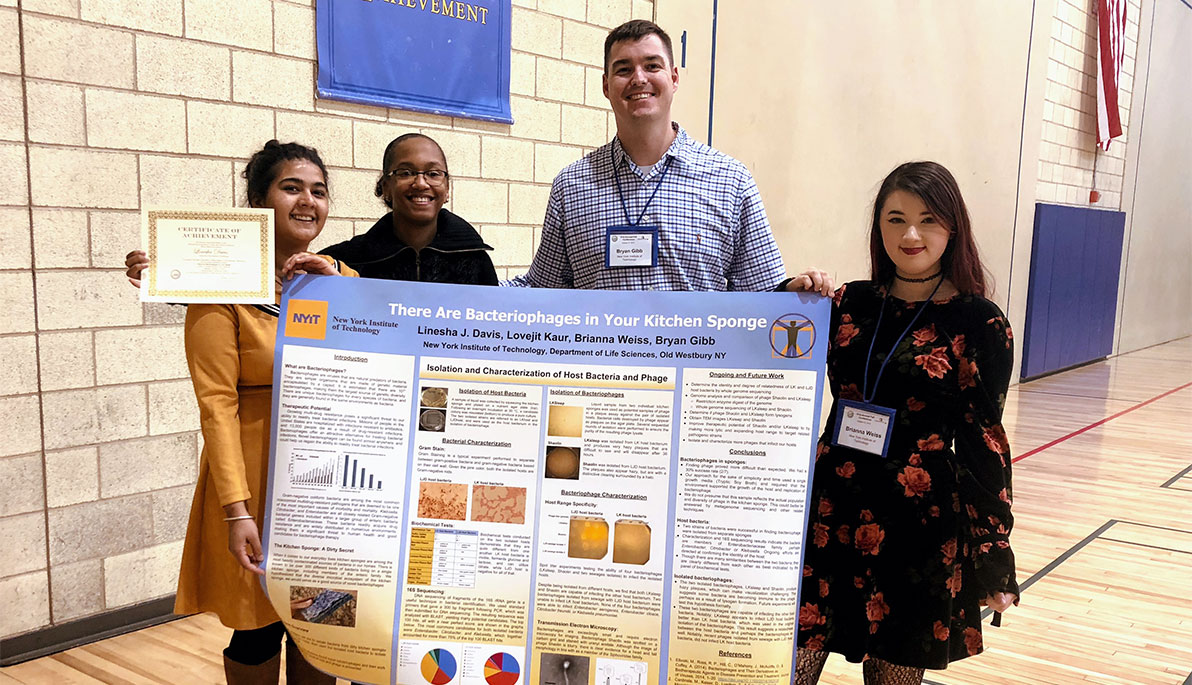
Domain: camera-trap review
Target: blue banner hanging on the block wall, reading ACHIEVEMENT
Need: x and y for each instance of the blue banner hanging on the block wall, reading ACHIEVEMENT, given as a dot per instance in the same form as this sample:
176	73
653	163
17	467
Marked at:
438	57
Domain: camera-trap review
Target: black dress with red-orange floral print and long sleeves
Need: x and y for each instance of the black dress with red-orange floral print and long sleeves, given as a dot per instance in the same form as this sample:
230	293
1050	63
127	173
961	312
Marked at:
903	550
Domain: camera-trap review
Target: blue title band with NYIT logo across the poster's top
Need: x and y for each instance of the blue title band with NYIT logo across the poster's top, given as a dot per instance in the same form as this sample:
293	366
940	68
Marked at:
667	327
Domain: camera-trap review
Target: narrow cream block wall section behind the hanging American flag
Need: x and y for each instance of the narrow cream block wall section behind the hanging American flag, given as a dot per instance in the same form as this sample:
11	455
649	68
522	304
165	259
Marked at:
1069	152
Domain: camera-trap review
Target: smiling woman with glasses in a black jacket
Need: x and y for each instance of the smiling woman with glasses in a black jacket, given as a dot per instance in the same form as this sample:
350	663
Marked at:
419	240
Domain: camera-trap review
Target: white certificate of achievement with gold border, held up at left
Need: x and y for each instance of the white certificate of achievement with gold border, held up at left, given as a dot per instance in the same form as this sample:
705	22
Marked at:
200	256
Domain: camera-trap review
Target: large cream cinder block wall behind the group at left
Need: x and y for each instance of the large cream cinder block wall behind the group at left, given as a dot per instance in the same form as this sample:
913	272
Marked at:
108	107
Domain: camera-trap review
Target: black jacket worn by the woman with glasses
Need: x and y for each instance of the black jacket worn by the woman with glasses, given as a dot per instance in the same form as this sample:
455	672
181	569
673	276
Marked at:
456	256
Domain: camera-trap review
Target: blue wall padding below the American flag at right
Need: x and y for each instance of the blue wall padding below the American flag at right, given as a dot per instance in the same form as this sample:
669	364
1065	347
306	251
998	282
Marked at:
1072	298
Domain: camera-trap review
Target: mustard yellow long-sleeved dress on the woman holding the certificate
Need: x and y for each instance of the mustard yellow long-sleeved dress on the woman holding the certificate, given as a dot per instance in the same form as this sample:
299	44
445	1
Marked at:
229	350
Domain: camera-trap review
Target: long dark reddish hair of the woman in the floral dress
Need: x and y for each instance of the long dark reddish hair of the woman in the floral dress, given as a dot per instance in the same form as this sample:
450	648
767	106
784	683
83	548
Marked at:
938	189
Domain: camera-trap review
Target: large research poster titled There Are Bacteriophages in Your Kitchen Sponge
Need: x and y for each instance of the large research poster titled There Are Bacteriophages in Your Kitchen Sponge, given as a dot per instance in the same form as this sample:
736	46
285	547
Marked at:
501	487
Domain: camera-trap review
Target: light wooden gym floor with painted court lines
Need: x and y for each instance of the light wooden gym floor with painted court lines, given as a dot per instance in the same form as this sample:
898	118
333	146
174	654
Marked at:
1103	502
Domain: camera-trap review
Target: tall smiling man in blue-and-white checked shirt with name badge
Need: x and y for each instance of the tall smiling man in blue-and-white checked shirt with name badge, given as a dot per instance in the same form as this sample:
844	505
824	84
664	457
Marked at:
656	209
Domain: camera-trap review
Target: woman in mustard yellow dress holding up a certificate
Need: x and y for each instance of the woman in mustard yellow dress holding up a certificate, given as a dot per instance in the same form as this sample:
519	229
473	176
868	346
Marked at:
229	350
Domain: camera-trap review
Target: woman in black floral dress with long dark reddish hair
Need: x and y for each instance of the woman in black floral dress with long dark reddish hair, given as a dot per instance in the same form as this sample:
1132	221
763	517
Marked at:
907	547
